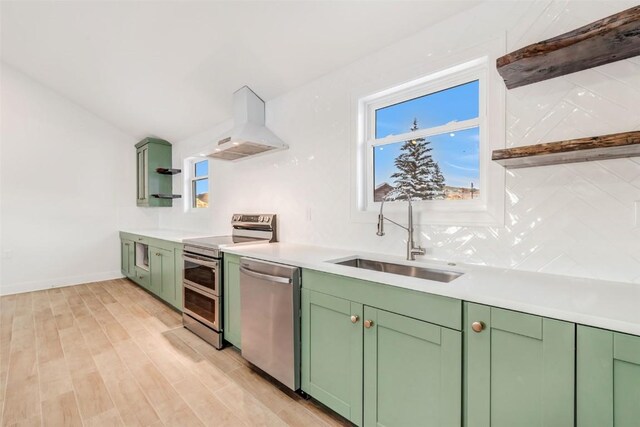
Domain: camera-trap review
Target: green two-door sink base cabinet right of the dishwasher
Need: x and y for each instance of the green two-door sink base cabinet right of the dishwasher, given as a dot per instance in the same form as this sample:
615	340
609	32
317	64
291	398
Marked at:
376	367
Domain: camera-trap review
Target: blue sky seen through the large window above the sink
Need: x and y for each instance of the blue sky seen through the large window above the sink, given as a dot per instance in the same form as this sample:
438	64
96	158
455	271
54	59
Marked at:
457	153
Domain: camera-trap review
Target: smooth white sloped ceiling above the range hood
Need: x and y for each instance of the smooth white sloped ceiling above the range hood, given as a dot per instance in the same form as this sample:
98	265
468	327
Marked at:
169	68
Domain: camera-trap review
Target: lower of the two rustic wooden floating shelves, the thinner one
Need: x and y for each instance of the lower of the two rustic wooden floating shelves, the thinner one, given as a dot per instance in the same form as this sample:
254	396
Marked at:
603	147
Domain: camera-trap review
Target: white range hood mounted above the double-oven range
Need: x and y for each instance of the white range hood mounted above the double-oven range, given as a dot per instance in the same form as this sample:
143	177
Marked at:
249	135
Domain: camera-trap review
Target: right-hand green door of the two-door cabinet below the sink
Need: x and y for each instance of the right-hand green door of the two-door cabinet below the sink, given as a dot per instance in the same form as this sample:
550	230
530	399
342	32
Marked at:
412	372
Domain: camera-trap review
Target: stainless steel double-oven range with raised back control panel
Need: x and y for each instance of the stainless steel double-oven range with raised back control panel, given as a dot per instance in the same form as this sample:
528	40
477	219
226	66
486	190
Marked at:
202	273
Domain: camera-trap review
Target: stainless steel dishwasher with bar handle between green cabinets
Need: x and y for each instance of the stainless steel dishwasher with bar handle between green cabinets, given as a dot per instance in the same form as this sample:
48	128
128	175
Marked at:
270	318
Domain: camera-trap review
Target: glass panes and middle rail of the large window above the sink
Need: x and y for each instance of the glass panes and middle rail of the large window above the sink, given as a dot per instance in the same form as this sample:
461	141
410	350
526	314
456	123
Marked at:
428	146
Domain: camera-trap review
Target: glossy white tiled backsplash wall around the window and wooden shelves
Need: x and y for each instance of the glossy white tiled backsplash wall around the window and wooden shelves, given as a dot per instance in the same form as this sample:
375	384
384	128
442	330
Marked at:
575	219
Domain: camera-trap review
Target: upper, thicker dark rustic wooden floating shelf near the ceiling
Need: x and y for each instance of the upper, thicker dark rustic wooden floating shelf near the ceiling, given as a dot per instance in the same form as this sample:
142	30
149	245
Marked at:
607	40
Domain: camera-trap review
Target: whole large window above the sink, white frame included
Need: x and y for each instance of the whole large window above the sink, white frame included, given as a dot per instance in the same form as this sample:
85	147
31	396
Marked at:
429	139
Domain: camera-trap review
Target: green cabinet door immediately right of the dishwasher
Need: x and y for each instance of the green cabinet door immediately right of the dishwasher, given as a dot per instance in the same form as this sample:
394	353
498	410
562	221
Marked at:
332	353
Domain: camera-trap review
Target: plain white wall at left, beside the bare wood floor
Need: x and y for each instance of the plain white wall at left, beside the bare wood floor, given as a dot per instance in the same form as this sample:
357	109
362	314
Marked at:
67	184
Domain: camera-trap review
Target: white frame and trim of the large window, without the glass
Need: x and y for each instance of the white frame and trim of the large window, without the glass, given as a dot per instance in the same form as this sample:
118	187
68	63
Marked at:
488	209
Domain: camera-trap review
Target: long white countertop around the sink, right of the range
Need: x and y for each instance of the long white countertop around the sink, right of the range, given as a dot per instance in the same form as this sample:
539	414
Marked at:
603	304
